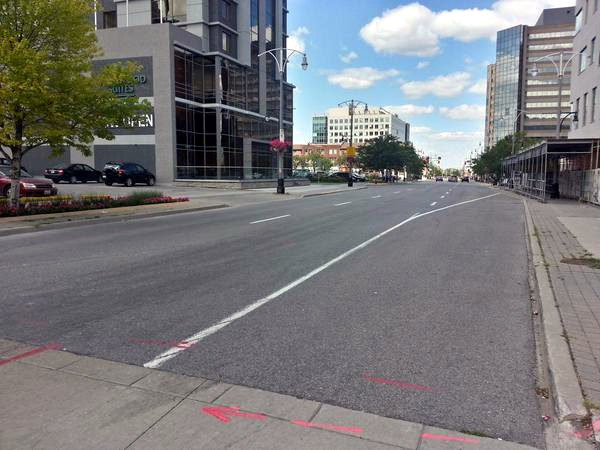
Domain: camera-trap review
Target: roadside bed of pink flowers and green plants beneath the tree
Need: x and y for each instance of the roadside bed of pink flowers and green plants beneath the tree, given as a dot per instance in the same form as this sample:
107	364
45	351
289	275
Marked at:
58	204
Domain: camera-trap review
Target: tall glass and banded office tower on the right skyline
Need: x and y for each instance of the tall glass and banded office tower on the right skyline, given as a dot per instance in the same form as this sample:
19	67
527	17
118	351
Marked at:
525	99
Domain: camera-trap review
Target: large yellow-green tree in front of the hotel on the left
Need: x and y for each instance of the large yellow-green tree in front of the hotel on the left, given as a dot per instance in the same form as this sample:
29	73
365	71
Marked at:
49	94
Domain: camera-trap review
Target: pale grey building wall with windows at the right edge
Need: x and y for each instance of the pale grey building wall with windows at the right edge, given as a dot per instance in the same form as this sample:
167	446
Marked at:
586	71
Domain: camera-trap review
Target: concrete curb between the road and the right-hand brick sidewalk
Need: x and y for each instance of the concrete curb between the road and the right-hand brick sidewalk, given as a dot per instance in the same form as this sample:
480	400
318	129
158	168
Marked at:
566	389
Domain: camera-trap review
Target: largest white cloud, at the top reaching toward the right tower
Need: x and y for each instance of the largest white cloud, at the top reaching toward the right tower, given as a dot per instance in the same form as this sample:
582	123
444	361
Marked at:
416	30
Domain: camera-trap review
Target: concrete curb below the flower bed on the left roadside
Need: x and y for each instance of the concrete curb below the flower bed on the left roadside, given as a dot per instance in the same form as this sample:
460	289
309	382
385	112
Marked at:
109	219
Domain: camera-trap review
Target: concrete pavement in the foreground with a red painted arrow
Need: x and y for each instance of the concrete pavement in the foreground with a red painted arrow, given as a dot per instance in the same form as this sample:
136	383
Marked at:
55	399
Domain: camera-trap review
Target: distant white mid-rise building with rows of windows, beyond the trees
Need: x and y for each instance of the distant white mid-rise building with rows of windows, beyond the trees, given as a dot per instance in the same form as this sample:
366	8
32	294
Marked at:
369	123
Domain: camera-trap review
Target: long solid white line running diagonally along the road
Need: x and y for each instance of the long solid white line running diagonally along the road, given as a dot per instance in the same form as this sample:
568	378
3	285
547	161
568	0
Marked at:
174	351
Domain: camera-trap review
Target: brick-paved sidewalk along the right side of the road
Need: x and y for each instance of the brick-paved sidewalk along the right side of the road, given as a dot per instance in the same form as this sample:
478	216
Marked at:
576	286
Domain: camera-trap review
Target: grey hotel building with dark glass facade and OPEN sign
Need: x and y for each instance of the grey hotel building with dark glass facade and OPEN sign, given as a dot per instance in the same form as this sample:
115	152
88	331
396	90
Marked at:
215	101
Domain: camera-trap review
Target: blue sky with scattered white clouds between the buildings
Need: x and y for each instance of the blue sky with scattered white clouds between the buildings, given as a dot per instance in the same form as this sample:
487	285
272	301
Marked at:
420	59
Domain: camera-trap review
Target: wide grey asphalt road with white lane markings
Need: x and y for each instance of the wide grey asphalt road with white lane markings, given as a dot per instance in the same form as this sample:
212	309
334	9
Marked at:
428	322
